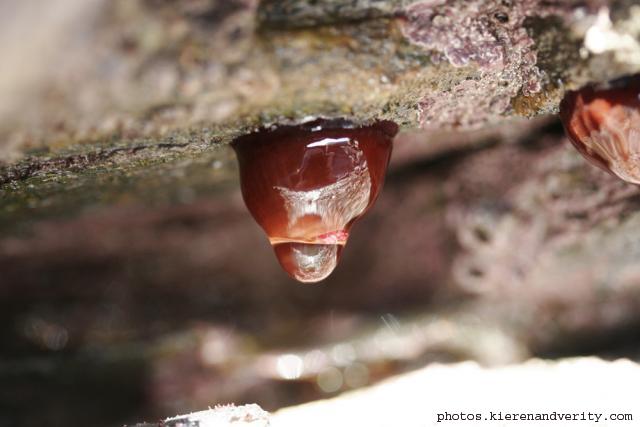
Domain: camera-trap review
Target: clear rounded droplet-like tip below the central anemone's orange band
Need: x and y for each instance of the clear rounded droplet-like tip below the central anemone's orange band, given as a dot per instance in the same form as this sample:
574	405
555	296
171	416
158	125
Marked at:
308	262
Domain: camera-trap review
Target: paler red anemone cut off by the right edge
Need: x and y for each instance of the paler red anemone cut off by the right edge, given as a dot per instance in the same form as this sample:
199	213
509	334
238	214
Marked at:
603	123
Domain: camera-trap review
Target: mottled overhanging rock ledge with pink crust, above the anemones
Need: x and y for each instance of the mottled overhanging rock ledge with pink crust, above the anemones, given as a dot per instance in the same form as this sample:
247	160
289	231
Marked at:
153	68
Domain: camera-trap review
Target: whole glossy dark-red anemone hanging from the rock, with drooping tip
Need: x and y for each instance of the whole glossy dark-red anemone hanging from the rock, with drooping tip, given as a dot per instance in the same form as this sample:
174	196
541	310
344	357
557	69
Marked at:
306	185
